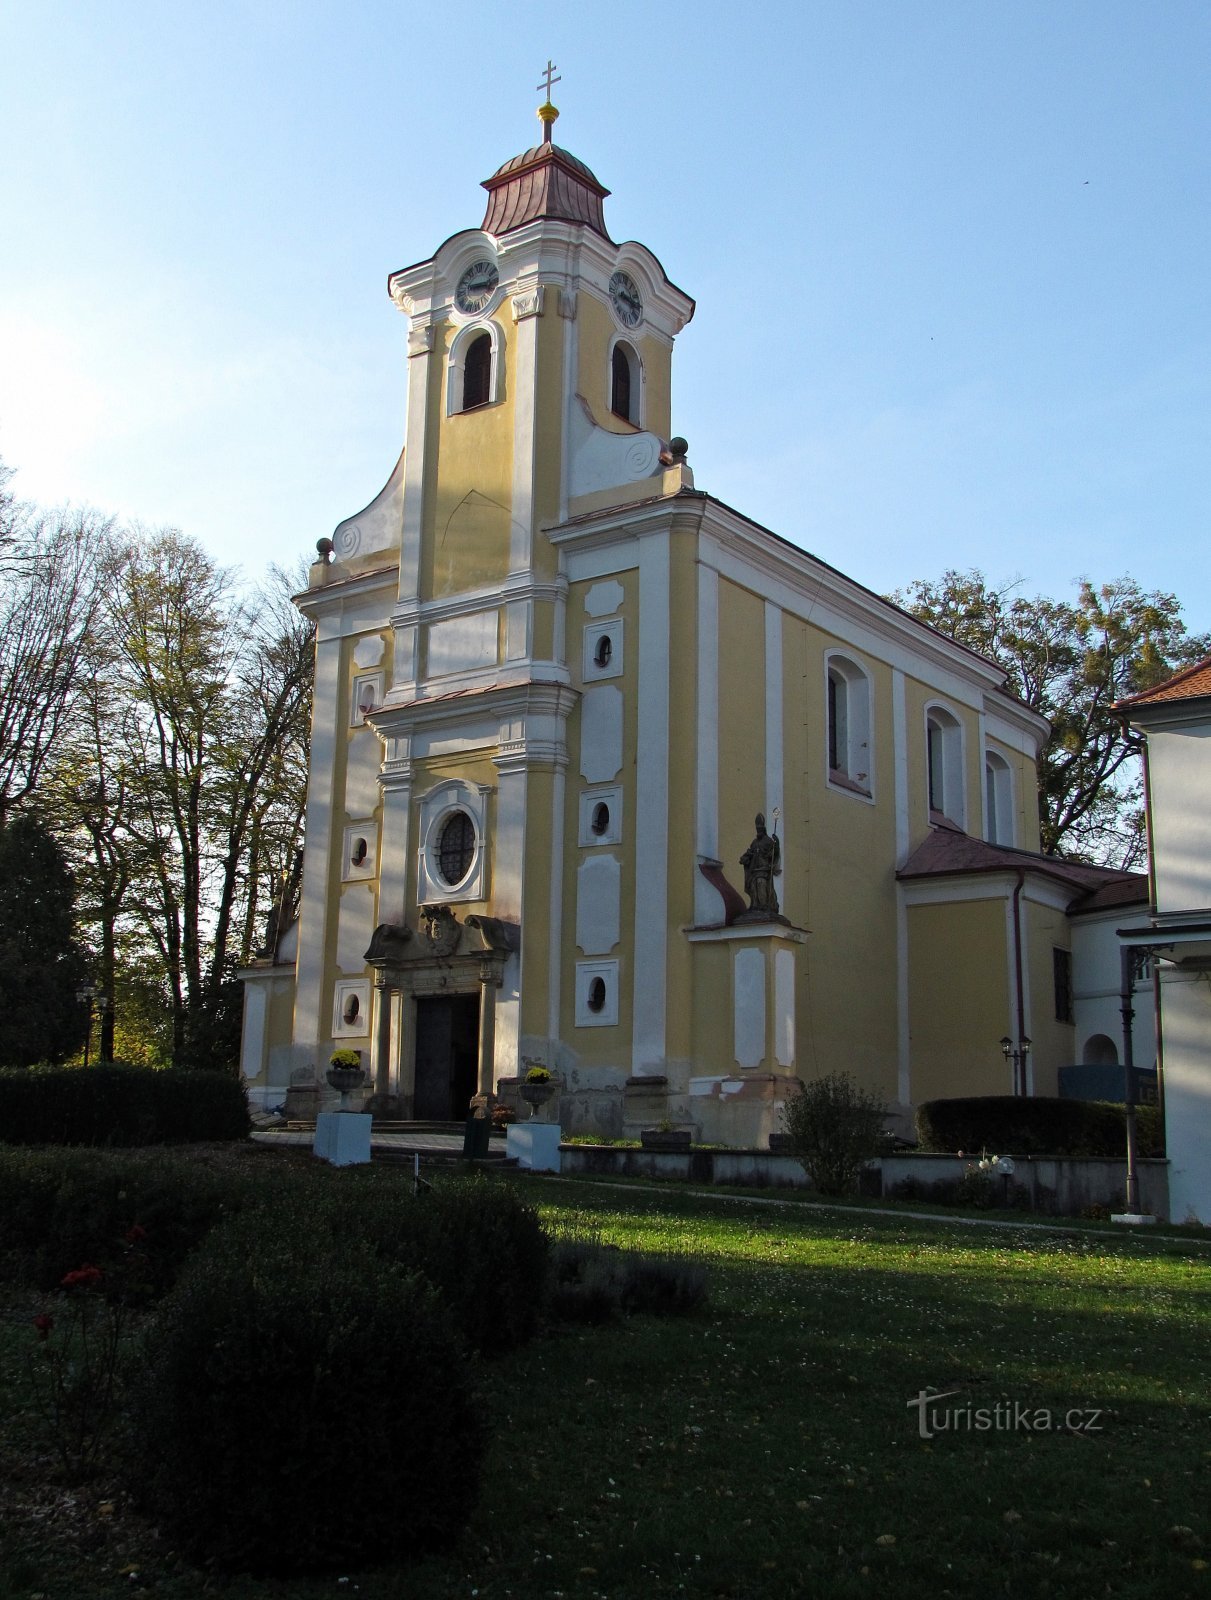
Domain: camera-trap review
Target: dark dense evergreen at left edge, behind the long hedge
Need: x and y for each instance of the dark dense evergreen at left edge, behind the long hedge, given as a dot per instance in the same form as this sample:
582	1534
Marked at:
41	962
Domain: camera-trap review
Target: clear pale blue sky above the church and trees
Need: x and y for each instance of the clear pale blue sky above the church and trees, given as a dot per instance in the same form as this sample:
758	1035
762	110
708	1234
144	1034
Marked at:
951	260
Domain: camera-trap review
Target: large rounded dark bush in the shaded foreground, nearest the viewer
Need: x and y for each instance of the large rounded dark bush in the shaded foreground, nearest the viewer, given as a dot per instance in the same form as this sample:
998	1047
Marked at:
303	1412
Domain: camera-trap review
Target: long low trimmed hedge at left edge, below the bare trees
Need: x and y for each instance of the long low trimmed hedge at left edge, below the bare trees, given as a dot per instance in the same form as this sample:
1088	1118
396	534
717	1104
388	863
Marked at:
119	1105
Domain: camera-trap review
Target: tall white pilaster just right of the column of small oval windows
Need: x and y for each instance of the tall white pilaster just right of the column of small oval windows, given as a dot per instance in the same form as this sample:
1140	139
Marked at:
652	804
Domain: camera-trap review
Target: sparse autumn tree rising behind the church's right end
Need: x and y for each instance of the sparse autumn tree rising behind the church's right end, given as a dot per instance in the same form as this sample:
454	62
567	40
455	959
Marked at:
1071	662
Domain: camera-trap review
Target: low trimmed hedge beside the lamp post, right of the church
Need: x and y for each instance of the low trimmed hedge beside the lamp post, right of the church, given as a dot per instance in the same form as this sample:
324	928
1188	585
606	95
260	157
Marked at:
1026	1126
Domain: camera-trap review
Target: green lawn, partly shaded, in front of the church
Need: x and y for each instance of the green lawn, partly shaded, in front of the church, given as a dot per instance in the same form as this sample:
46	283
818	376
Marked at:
769	1449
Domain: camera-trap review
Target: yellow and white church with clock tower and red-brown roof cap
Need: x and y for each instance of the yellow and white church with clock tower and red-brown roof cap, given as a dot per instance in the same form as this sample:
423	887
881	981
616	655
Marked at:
556	686
